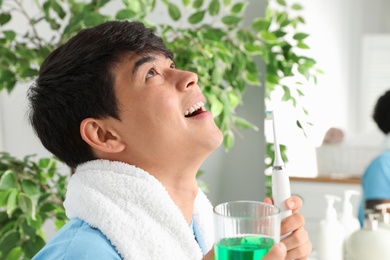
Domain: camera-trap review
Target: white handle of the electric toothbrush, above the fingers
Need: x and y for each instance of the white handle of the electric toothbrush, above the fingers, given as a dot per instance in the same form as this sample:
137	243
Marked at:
281	191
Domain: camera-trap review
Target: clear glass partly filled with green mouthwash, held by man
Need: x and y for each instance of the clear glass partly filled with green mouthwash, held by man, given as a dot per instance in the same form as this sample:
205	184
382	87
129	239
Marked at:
245	230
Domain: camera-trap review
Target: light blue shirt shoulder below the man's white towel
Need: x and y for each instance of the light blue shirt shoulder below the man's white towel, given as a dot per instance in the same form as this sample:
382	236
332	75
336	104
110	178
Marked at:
78	240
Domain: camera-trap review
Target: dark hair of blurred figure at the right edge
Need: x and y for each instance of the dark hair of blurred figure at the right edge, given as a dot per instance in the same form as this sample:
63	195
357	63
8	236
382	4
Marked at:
381	114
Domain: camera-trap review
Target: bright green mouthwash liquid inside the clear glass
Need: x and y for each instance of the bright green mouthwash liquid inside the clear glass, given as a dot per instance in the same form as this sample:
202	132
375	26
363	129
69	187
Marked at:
243	248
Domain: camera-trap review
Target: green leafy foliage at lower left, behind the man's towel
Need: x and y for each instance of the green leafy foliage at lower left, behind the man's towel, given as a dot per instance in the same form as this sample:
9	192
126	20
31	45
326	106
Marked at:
30	193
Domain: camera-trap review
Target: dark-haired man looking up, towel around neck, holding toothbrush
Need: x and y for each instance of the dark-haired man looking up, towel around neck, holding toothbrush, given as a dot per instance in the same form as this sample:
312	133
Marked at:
111	103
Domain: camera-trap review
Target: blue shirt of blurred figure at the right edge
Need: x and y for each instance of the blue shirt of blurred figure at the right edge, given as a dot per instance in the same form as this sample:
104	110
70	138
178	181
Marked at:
376	181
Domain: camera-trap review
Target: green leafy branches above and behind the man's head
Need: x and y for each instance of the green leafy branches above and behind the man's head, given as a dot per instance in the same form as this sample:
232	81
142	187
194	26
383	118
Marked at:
207	37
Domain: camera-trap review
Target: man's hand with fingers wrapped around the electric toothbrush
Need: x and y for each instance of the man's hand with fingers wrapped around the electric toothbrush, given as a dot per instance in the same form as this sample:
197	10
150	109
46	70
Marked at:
298	244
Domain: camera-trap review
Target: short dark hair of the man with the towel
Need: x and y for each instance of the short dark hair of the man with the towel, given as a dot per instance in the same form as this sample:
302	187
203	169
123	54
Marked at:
76	81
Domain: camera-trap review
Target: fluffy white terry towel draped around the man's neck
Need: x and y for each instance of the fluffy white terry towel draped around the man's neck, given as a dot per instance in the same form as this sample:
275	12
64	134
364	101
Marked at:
135	212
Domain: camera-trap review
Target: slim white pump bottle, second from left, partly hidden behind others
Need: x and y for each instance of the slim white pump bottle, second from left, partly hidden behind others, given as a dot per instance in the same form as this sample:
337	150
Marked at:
348	218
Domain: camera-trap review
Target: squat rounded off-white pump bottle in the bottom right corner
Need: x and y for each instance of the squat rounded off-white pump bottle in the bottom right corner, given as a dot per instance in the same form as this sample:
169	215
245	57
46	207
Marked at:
370	242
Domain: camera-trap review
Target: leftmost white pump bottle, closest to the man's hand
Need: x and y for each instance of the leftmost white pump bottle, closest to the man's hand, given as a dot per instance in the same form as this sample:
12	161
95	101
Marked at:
331	233
